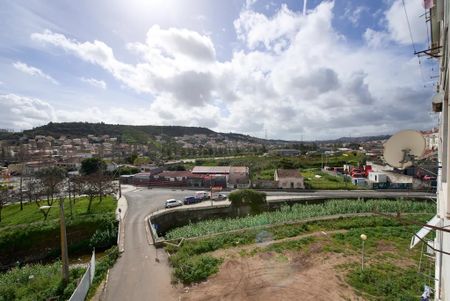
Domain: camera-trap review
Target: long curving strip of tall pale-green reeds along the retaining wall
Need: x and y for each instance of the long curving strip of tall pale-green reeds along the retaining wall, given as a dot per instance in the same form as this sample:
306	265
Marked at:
299	212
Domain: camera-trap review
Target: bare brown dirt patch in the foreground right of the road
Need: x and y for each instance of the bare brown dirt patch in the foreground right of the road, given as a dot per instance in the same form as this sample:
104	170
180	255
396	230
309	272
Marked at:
274	277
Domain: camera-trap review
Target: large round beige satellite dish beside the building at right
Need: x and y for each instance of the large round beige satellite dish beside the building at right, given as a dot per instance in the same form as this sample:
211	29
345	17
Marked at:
403	148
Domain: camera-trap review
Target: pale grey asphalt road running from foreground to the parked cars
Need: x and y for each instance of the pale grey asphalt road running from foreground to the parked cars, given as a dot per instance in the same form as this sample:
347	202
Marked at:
137	275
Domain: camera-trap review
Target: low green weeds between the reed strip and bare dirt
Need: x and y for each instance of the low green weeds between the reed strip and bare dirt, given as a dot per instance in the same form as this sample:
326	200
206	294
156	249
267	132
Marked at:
194	255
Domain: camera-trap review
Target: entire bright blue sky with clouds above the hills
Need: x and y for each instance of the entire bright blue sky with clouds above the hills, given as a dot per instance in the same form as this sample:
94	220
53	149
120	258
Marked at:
259	67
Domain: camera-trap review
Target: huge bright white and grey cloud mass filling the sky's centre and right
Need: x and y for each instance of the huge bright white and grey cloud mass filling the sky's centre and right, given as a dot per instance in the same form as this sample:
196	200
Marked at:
295	76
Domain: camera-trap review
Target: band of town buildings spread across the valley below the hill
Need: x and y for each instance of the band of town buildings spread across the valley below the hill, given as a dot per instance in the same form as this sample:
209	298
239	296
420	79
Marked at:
33	154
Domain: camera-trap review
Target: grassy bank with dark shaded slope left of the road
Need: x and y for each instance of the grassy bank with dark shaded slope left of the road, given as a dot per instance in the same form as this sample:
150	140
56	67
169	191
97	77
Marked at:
25	237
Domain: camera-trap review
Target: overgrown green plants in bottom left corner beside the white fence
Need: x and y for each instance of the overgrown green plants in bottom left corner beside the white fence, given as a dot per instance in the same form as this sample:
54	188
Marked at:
37	282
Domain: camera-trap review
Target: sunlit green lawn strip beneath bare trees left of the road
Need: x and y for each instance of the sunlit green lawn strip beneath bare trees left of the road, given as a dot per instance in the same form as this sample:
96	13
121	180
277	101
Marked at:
12	215
